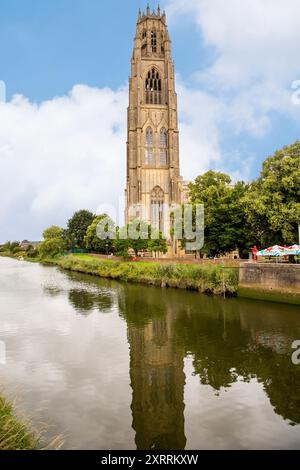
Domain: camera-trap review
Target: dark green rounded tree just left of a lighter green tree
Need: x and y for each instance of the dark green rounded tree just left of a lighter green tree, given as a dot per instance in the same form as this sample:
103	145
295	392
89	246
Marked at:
77	228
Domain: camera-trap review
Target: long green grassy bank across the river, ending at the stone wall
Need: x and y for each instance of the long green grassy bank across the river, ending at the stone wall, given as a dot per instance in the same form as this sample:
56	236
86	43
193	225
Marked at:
207	279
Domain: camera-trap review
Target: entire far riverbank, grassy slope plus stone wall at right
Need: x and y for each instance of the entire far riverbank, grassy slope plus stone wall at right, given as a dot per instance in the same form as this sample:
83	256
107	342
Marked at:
210	278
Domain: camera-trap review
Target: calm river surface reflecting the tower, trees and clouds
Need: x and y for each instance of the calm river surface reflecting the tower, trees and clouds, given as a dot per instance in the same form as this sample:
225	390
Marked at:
116	366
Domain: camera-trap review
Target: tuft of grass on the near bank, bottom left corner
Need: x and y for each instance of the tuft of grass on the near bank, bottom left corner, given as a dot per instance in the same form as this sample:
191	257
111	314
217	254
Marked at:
14	434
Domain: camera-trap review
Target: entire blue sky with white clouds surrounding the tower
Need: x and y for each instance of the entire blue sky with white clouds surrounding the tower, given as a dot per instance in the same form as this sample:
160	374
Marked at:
65	65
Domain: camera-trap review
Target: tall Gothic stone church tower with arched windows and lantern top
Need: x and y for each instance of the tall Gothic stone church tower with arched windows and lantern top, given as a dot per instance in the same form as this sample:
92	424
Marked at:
153	174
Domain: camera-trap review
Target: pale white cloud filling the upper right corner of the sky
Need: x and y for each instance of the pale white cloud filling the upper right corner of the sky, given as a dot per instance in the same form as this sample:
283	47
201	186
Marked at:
255	39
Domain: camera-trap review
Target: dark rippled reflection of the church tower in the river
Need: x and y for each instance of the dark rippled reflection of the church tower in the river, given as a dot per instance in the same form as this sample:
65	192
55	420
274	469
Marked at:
157	381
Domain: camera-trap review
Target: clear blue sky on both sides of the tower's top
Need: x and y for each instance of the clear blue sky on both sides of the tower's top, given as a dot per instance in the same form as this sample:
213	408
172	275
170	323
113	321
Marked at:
54	44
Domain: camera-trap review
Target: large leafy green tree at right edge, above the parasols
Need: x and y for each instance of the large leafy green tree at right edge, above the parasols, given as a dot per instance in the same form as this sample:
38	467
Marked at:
272	204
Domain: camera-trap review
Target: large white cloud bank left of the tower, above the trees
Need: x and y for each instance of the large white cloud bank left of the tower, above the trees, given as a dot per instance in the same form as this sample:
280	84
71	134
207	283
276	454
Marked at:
59	156
